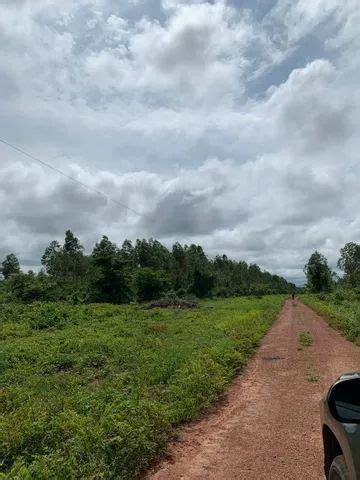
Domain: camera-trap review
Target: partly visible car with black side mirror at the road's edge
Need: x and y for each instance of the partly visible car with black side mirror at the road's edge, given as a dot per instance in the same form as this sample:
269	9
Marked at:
340	417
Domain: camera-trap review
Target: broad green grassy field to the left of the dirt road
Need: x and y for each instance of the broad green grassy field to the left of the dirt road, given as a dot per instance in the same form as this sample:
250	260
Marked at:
97	391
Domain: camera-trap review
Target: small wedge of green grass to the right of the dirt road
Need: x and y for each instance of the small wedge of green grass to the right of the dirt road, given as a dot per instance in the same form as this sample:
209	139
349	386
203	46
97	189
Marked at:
341	309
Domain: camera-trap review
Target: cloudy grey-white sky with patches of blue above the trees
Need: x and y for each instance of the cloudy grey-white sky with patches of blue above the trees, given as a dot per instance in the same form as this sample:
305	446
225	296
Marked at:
231	124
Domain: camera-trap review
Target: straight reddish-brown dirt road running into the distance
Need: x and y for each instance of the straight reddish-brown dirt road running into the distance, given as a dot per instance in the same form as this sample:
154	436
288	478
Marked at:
267	427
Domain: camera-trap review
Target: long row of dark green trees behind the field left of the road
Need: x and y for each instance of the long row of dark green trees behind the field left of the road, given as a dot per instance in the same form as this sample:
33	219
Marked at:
144	270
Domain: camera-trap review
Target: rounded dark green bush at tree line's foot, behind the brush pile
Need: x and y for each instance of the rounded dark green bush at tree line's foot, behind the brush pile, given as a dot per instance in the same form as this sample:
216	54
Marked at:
151	284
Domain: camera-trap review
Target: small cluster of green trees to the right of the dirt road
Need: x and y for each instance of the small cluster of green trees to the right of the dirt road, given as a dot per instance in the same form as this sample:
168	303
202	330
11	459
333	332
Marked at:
320	277
